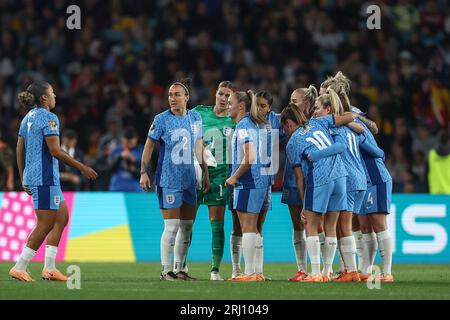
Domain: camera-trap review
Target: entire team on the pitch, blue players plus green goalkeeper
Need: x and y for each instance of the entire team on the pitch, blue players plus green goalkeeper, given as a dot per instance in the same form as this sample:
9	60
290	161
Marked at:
335	183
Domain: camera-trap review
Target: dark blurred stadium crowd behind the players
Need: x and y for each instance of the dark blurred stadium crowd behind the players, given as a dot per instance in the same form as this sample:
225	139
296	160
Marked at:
111	76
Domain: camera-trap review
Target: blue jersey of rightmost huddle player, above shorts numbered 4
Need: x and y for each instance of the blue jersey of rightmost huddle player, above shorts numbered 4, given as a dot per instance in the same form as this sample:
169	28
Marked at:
375	169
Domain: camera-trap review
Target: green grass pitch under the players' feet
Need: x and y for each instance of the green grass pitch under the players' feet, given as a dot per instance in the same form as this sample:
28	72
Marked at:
141	281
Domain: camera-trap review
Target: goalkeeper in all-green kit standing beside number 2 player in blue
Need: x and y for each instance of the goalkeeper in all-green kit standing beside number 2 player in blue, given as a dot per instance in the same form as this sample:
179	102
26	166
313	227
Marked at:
218	129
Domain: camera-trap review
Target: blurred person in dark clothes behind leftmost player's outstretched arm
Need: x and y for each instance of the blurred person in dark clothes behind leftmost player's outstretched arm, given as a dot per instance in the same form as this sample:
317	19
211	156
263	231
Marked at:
71	178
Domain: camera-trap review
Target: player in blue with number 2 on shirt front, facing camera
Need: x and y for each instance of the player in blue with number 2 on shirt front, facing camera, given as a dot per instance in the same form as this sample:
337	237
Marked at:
179	133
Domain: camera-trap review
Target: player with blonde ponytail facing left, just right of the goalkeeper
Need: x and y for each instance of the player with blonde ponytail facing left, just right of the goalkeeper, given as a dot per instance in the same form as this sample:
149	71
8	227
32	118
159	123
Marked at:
250	177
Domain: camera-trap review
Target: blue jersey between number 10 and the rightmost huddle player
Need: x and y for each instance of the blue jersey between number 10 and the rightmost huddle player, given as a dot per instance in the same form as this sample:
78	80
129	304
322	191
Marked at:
356	179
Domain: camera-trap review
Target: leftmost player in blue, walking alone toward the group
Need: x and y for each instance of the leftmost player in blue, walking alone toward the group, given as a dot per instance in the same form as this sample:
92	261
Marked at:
39	173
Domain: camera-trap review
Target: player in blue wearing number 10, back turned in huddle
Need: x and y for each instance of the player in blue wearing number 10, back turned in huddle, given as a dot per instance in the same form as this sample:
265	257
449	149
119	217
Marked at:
321	184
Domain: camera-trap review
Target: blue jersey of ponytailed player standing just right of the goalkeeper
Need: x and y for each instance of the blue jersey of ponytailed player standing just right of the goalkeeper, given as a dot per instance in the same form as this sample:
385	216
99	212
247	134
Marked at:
259	175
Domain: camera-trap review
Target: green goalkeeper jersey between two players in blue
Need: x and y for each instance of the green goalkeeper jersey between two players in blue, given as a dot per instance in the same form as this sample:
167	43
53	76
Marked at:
217	134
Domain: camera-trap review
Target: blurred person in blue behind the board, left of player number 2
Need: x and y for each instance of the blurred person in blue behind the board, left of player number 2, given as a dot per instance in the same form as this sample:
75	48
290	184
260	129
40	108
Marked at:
126	163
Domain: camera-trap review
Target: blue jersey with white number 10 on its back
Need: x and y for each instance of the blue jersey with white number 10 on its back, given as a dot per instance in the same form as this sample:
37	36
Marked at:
314	136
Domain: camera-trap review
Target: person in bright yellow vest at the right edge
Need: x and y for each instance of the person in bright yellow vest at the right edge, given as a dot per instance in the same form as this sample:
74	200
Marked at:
439	166
